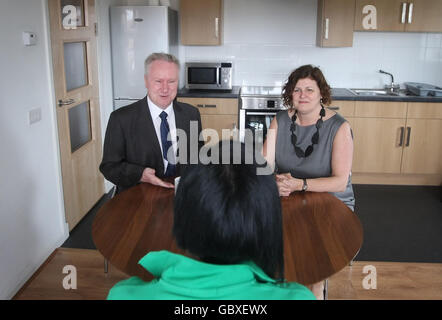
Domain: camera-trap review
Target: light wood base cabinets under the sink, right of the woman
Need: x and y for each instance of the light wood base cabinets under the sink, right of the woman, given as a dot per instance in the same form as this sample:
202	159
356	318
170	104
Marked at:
395	142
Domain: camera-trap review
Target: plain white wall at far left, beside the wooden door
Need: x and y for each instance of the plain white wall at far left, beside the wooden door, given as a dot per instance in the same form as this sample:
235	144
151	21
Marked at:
32	220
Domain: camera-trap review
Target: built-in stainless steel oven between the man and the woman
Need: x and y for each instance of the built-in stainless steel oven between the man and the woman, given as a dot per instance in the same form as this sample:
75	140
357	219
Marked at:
258	107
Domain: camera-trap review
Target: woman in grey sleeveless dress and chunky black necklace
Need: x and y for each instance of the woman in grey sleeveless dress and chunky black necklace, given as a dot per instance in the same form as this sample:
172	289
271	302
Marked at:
310	147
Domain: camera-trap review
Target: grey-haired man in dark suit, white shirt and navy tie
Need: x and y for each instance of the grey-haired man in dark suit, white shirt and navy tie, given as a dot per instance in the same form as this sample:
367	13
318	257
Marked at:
135	147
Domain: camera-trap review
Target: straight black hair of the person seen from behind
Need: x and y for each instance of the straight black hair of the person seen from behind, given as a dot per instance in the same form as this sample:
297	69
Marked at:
227	214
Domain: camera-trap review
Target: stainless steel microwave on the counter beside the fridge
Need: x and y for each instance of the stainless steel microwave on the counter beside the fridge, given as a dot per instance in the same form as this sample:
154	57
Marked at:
209	75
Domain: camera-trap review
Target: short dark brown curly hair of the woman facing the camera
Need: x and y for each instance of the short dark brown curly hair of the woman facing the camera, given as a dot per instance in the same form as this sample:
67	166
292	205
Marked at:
306	71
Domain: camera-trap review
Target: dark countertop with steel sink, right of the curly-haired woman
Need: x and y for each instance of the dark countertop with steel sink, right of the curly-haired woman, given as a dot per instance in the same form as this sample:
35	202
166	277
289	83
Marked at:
345	94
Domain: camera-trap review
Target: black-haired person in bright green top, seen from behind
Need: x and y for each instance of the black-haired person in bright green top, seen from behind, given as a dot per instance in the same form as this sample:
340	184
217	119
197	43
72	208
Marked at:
228	219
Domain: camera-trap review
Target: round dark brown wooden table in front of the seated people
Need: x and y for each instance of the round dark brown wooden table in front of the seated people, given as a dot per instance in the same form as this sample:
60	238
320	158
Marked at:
321	235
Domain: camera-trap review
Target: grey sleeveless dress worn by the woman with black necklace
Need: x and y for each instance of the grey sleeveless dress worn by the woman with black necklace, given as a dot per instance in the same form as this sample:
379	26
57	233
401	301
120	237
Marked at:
318	164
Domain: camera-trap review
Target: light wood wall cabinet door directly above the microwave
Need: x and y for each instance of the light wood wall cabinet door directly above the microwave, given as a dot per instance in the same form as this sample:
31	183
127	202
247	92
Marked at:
201	22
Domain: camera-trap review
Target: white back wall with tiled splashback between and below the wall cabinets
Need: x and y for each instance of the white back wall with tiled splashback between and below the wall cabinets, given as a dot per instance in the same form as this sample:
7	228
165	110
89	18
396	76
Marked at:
268	39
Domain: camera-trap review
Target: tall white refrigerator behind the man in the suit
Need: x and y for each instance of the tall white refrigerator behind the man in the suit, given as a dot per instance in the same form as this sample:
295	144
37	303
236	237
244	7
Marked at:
136	32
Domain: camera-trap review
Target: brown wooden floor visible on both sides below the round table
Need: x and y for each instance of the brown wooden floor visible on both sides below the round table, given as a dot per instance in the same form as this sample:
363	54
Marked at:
393	280
